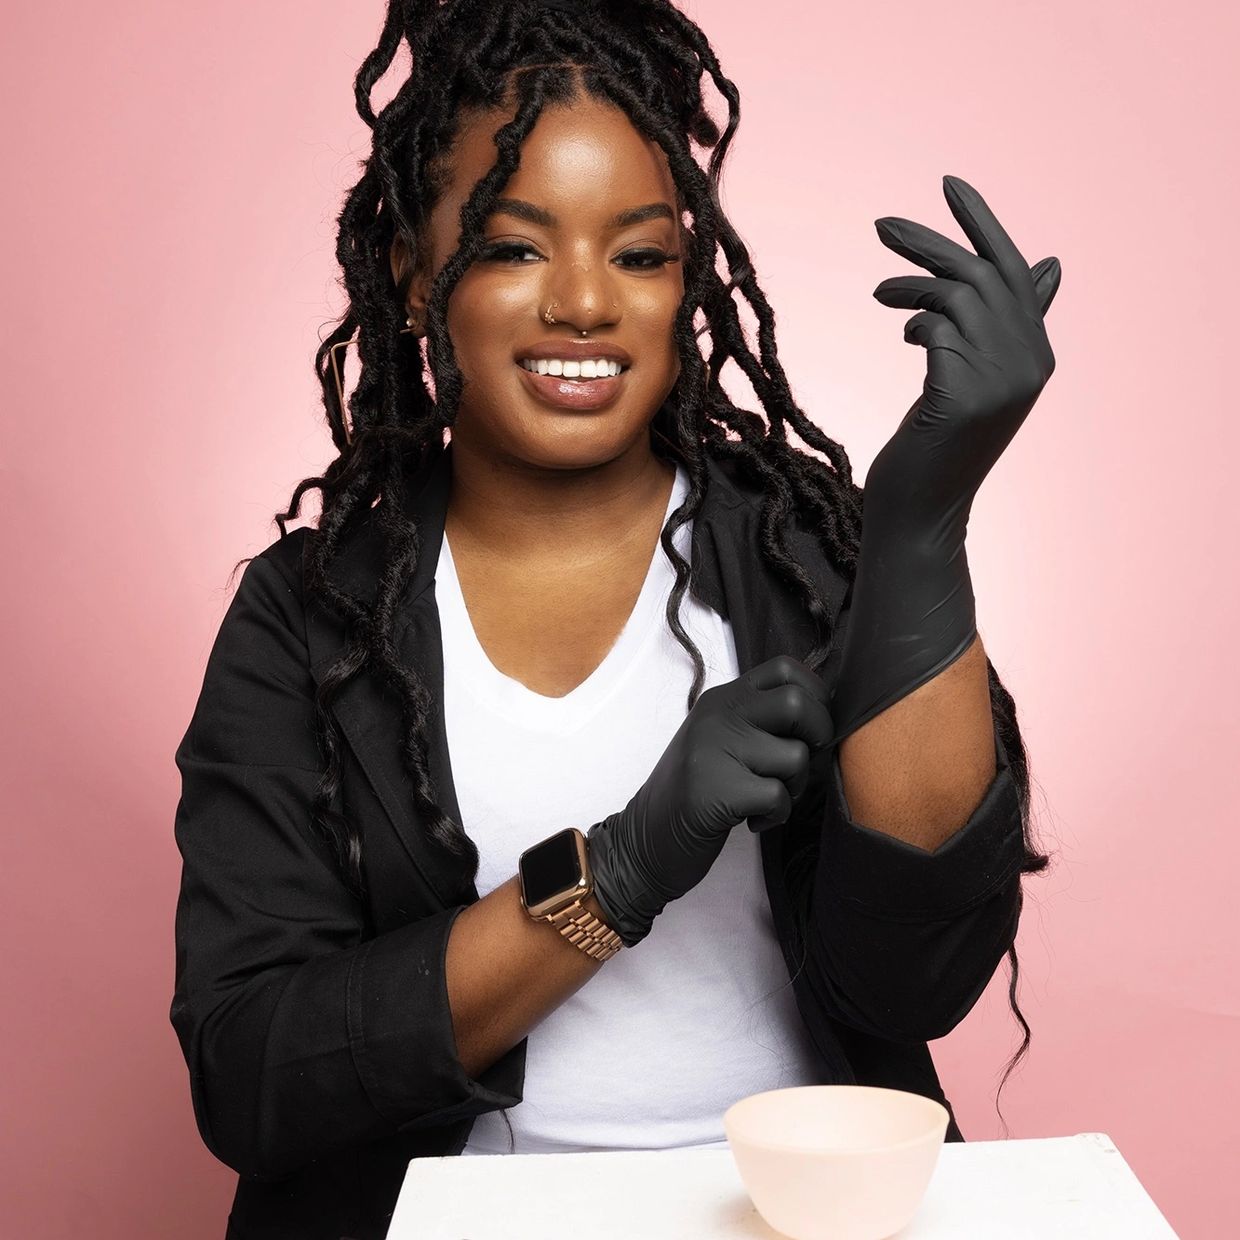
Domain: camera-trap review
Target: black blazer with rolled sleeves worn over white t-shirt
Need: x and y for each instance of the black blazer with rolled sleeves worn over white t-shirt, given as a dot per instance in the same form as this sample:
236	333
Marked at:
317	1029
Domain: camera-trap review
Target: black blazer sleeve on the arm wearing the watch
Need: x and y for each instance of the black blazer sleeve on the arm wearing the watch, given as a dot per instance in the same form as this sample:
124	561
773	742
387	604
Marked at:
301	1034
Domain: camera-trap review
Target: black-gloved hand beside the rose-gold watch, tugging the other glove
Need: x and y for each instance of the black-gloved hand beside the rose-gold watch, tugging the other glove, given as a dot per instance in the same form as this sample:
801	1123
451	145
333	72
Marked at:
743	752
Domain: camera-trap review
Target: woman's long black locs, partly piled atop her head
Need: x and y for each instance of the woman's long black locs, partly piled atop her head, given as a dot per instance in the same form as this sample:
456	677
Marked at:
469	56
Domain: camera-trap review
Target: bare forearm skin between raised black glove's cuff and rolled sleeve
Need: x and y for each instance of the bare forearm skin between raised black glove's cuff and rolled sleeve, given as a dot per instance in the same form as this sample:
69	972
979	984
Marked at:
919	769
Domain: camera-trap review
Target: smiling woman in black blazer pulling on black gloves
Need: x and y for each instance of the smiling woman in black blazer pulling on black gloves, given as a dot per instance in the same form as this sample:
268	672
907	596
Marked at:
485	736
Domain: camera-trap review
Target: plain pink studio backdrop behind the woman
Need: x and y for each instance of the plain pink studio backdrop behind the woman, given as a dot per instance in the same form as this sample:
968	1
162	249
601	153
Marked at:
174	177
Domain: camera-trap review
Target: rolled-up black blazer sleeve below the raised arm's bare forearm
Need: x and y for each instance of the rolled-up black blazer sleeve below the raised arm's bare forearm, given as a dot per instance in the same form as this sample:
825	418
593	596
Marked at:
903	942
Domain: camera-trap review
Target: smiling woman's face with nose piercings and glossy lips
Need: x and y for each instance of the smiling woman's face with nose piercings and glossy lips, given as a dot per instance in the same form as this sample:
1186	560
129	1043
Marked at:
557	240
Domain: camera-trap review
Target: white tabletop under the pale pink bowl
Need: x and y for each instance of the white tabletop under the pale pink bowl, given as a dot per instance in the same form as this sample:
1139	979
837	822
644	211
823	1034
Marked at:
1055	1187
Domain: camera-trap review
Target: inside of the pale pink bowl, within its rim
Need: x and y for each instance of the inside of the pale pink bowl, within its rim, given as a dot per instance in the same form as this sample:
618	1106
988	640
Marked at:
846	1118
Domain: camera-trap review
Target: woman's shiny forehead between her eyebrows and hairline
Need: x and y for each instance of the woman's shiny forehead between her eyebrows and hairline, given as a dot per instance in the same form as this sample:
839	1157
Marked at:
585	162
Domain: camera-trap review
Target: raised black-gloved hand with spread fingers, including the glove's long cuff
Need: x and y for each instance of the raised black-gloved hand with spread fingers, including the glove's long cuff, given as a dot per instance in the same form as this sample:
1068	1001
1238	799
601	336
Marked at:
988	356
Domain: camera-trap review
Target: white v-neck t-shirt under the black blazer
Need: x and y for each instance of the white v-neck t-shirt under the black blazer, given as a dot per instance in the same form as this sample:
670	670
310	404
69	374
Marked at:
666	1036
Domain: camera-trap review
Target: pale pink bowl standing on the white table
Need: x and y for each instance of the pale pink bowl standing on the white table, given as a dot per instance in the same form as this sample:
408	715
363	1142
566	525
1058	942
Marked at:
836	1162
